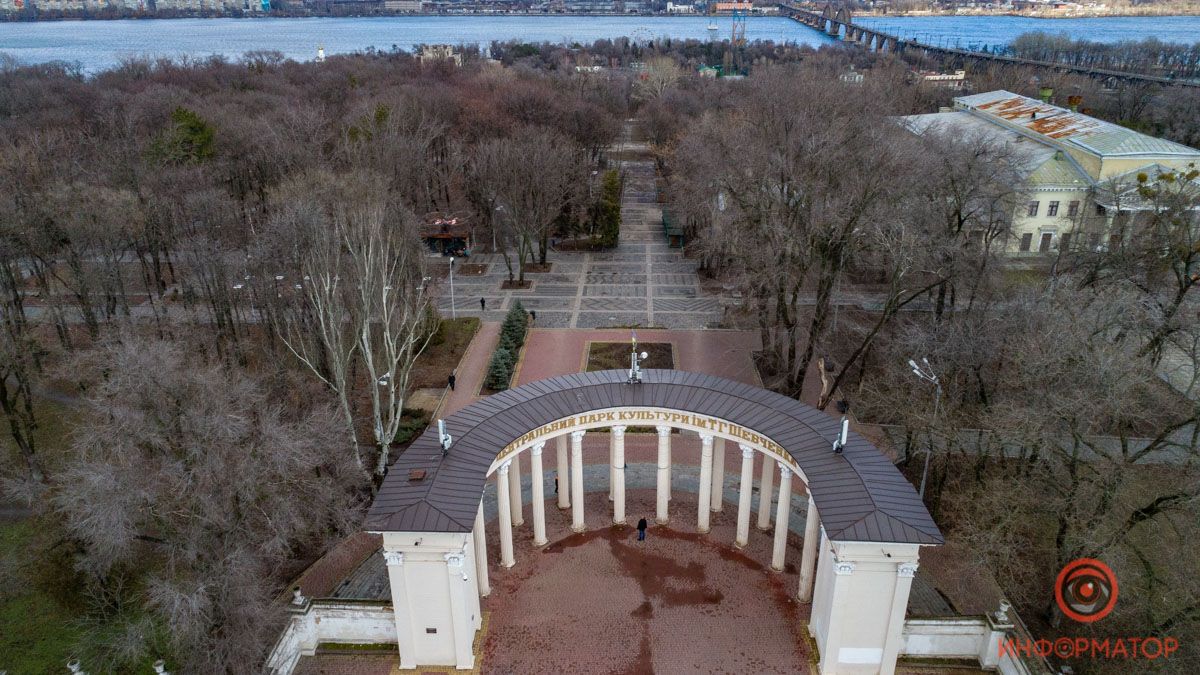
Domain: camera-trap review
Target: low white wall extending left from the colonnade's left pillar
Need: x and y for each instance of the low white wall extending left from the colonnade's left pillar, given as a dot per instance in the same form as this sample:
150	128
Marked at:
331	622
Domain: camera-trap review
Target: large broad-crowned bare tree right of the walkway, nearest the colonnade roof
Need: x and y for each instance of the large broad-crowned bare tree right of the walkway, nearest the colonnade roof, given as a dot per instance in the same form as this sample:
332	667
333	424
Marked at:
795	182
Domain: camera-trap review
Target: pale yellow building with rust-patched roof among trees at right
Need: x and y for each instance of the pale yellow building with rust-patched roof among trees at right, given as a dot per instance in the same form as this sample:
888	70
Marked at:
1079	174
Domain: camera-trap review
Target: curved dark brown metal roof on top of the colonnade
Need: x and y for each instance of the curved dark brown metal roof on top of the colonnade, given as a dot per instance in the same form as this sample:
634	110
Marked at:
860	494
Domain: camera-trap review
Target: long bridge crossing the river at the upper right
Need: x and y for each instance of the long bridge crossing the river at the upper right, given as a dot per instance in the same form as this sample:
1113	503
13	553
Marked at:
838	22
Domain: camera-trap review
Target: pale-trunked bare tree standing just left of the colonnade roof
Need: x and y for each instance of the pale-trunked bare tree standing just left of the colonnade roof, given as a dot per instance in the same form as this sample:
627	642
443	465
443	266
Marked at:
351	261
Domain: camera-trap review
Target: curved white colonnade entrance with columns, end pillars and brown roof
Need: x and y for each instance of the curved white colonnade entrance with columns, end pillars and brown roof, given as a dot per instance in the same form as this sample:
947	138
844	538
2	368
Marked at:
863	529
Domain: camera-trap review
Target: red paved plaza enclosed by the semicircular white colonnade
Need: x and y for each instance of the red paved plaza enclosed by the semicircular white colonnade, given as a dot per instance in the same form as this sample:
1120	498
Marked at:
680	602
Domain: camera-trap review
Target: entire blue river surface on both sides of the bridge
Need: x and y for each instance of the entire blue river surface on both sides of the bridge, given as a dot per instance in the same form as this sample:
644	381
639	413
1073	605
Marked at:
99	45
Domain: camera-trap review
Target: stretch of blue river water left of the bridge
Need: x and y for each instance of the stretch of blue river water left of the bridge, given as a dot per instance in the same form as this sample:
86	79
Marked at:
99	45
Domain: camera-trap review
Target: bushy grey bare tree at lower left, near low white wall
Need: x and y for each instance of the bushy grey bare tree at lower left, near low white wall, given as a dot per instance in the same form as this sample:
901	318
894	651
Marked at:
190	489
